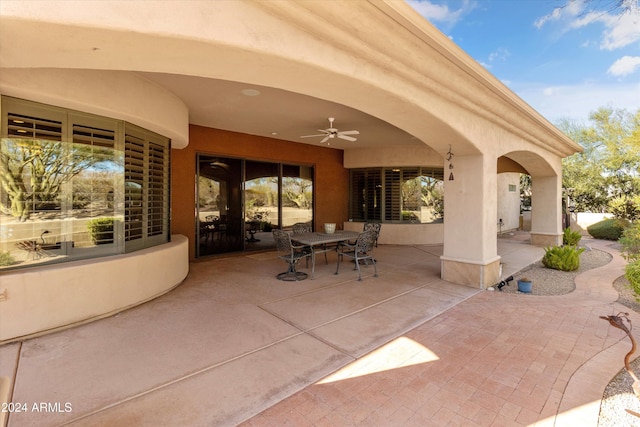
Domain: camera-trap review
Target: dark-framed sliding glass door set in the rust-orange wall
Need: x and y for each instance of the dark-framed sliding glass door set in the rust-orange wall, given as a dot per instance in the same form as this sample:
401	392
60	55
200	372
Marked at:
239	202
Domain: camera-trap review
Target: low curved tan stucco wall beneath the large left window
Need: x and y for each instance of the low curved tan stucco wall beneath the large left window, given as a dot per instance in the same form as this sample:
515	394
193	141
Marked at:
42	299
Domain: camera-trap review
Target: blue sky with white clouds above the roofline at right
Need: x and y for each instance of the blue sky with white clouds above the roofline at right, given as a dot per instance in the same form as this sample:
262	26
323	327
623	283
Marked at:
565	58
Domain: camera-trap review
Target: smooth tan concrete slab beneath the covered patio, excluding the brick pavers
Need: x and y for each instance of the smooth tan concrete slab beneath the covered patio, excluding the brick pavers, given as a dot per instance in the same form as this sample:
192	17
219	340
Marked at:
232	340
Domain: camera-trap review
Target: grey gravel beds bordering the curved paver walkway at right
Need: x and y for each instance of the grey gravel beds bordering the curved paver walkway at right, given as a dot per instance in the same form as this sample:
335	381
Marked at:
618	396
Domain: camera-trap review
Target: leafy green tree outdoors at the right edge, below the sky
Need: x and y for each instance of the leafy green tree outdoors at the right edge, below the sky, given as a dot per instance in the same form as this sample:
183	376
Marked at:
609	167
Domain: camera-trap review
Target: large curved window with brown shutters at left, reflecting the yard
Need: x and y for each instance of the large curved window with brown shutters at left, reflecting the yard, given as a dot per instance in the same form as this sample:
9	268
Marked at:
75	185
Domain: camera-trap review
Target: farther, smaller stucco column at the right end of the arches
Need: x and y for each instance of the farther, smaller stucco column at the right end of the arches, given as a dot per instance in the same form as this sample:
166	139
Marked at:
546	207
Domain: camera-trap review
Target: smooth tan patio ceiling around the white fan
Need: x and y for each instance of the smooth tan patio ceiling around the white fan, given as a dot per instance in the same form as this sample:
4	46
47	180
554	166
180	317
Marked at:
275	113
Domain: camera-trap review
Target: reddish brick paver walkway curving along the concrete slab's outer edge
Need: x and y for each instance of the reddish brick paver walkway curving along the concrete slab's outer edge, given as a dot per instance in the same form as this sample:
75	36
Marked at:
496	359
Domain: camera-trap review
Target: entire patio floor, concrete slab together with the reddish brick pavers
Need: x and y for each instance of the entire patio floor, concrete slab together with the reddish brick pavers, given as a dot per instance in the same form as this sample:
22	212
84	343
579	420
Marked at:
234	345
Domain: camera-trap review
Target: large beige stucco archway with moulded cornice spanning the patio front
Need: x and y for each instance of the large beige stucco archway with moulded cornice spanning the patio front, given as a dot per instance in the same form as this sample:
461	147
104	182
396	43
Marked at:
396	68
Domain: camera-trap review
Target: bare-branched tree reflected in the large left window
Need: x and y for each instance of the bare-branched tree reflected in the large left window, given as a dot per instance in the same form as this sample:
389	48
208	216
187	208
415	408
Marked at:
32	172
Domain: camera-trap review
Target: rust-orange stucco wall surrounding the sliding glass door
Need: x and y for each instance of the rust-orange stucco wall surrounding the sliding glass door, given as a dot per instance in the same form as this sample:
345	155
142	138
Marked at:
331	186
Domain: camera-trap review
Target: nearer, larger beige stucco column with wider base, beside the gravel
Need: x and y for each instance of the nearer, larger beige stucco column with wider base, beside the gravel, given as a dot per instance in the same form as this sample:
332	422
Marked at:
470	207
